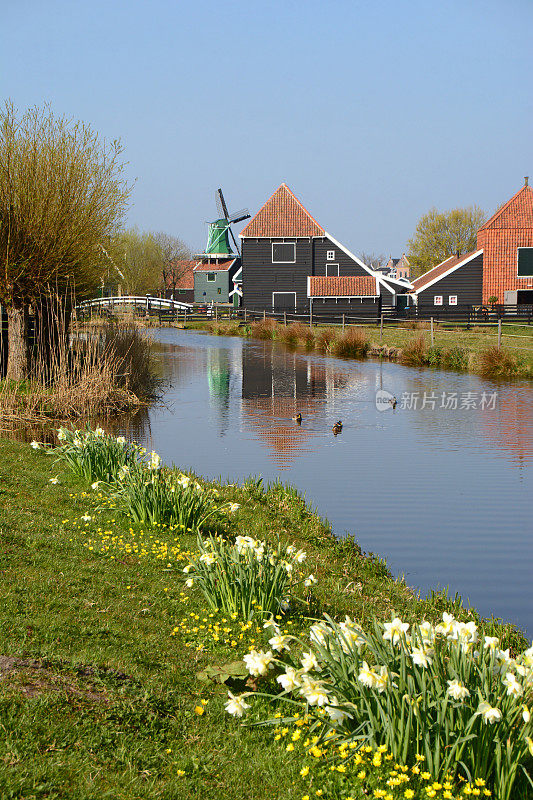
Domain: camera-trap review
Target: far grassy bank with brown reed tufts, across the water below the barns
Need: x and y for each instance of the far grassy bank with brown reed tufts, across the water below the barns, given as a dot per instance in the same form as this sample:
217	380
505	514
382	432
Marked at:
454	347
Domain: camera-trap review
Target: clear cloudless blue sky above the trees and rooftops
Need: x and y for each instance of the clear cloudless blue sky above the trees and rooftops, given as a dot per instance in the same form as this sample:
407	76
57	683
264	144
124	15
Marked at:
373	111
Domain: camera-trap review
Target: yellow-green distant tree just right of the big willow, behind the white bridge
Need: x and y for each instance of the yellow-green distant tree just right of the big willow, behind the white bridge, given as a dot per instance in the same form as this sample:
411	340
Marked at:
138	261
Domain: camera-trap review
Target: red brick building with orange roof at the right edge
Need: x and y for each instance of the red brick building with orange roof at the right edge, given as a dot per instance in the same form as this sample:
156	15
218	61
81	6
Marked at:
507	243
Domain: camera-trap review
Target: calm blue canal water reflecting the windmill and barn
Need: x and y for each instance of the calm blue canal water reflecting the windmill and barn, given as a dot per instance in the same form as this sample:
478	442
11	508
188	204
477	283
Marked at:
441	486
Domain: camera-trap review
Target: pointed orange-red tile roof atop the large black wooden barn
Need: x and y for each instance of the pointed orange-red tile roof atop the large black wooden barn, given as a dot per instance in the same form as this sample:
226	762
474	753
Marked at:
282	215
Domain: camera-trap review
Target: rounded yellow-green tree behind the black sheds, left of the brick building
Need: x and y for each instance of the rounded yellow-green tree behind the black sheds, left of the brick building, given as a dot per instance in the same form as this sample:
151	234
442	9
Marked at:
441	234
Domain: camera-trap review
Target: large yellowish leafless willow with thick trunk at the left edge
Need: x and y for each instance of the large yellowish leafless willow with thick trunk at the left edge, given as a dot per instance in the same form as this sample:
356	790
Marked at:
62	196
